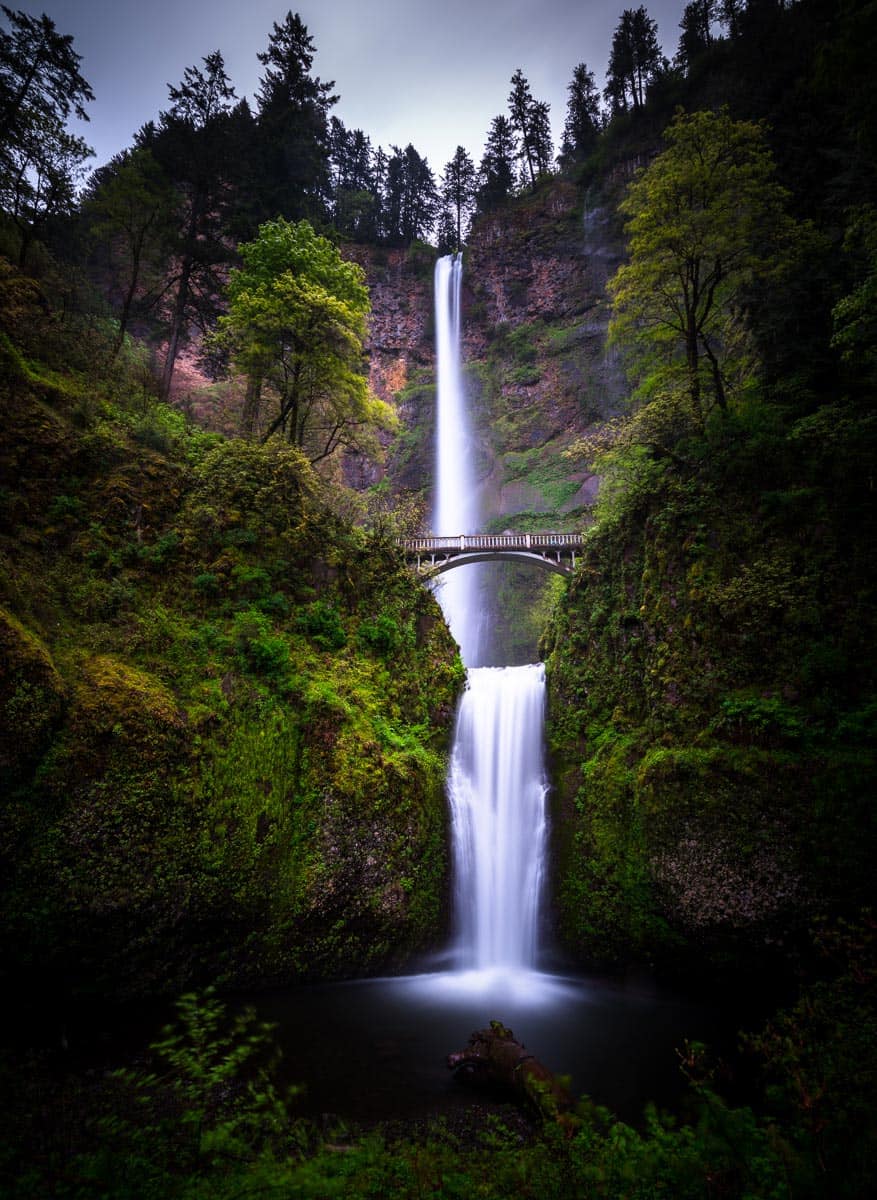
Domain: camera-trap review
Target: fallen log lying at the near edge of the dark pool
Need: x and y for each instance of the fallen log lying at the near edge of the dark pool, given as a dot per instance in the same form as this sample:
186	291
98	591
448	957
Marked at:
496	1057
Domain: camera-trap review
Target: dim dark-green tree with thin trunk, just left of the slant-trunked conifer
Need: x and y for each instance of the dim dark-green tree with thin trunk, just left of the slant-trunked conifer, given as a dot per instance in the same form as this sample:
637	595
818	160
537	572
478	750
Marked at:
131	207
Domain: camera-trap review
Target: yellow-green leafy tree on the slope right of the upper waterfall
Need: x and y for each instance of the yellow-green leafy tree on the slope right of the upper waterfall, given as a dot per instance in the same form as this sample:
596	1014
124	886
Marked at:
706	221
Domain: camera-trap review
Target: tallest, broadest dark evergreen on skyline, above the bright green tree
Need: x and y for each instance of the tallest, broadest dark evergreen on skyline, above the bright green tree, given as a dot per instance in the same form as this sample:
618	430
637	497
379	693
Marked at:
293	119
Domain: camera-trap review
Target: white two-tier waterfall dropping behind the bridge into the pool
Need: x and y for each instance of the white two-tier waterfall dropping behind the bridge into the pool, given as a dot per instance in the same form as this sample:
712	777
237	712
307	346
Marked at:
497	781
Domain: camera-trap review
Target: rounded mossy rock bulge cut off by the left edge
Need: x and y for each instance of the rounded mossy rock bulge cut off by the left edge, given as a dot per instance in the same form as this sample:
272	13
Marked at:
32	698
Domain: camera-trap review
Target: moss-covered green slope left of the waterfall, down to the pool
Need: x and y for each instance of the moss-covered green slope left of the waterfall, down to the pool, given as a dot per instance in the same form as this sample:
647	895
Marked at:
224	710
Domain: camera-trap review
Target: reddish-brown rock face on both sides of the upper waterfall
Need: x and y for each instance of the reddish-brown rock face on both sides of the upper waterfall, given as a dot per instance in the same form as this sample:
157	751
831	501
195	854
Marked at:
537	365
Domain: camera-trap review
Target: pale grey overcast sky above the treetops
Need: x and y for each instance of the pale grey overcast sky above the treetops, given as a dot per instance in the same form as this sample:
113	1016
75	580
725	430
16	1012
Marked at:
433	73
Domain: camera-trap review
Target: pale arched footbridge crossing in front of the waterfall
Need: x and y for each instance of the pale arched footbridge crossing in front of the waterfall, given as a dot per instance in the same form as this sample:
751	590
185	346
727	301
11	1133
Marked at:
552	551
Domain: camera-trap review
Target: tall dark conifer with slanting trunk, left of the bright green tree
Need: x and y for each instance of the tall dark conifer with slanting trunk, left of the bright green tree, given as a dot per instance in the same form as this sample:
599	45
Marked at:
193	147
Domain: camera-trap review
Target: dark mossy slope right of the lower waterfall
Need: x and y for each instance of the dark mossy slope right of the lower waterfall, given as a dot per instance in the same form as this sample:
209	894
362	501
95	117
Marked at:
712	685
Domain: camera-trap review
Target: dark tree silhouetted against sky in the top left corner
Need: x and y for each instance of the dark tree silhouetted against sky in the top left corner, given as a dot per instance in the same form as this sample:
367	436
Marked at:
40	87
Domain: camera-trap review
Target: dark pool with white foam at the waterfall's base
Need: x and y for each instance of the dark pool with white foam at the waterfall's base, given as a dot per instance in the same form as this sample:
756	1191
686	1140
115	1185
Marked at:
376	1049
